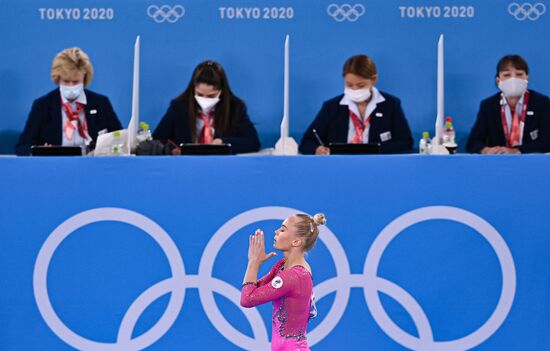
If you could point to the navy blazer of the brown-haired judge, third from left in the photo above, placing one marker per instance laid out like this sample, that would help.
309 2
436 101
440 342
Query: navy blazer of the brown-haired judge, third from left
332 124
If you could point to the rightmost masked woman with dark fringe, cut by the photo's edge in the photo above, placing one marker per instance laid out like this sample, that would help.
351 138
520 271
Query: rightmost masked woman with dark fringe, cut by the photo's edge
514 121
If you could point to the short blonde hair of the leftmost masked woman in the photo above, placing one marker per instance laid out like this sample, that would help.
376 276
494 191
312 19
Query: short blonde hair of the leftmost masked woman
69 60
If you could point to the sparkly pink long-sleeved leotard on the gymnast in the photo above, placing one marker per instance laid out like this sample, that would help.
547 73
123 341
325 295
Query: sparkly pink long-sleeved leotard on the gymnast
291 292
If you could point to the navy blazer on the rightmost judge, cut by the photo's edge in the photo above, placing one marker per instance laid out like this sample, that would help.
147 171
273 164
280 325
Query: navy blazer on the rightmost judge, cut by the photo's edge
488 131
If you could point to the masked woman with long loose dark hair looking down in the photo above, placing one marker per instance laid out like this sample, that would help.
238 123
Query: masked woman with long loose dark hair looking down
207 112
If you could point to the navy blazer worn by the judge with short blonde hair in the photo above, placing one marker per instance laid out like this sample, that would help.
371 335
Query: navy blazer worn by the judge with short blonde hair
45 121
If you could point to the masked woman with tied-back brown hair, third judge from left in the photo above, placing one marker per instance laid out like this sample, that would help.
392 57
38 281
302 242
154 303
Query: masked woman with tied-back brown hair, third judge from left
363 114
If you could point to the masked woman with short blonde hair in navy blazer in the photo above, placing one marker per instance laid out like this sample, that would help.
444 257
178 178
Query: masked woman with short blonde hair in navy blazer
69 115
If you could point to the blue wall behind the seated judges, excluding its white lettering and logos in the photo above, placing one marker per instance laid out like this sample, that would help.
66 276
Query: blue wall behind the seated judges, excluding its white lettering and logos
404 50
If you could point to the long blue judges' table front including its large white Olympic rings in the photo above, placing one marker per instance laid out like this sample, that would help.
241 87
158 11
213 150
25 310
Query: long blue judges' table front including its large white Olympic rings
134 253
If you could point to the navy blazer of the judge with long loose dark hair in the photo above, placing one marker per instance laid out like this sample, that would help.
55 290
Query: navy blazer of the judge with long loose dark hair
175 127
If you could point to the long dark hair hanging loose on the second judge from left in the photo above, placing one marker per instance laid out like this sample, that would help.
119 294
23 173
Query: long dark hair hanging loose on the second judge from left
211 73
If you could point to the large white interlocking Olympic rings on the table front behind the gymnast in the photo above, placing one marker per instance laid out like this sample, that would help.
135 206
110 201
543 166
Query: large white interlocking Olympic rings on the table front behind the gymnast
206 284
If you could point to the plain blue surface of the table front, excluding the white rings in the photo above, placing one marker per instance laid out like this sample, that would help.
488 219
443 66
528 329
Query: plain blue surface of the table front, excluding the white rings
447 267
